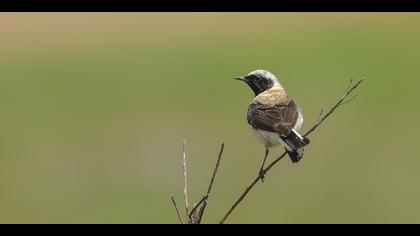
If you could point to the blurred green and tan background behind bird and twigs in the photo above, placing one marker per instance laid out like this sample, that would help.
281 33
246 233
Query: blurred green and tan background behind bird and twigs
94 107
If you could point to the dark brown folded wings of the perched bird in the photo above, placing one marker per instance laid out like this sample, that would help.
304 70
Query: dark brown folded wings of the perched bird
280 118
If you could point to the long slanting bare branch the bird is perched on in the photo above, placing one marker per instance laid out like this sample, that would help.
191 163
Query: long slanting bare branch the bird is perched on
340 102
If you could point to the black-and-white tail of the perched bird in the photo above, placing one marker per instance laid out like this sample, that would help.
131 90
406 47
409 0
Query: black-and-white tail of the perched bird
294 145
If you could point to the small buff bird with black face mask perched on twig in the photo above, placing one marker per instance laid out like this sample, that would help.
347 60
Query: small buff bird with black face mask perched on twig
274 117
